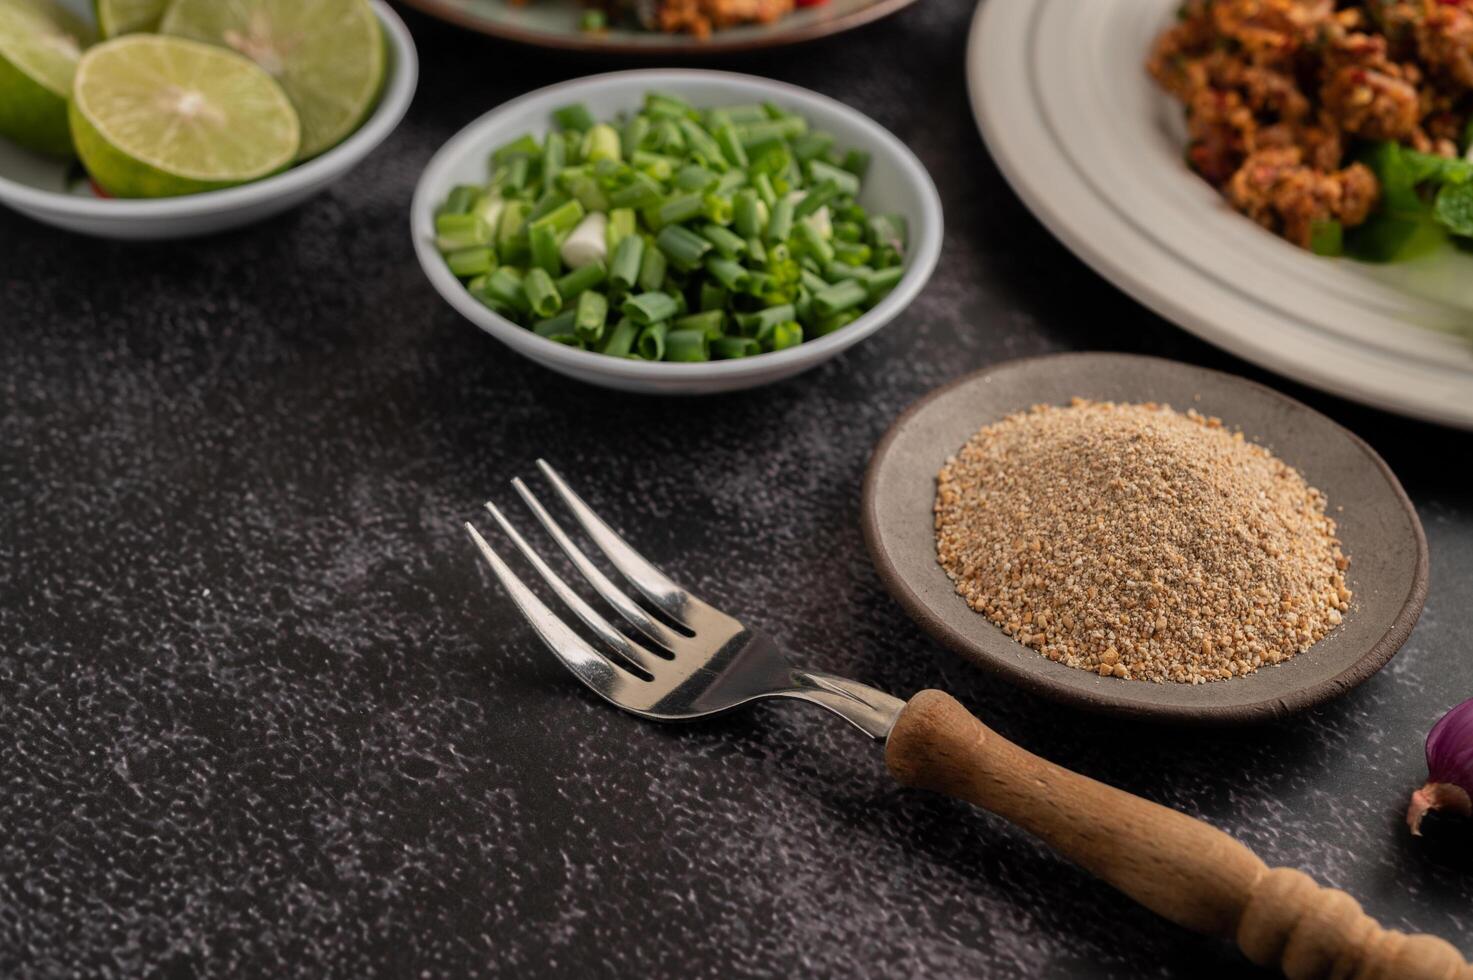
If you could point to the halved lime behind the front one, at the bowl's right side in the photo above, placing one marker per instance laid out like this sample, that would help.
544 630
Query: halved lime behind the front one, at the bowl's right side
329 55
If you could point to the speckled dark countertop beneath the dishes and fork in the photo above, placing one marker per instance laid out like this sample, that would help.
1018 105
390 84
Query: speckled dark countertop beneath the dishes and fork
261 714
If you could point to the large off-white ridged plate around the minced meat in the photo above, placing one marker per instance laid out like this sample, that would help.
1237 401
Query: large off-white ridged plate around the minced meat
1095 150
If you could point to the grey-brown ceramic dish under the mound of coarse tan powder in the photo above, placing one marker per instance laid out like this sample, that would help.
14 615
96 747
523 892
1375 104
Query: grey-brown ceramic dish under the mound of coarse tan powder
1378 527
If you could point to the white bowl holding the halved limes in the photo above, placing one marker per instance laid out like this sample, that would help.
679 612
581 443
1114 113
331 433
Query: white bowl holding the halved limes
39 186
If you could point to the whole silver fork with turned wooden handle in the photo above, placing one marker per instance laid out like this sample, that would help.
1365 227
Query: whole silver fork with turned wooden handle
1178 866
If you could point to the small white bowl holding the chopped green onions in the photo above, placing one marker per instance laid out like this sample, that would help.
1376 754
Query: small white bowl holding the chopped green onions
896 183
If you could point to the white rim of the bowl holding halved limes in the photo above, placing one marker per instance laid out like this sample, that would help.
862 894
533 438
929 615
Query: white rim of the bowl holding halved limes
394 102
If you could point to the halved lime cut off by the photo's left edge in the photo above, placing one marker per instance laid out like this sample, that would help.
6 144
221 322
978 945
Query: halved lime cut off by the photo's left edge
41 43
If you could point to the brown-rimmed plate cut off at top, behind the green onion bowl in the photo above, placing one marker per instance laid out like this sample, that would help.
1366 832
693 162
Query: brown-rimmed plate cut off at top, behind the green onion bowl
556 24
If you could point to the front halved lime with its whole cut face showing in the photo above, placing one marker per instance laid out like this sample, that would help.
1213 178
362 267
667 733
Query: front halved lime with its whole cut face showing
157 117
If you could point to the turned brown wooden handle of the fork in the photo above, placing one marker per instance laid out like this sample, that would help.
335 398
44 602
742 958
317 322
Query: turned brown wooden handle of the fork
1176 866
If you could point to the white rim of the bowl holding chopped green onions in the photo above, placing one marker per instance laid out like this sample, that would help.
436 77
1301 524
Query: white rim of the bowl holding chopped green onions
927 238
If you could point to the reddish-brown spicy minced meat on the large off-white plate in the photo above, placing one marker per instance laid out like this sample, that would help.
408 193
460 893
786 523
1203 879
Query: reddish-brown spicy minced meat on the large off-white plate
1297 108
